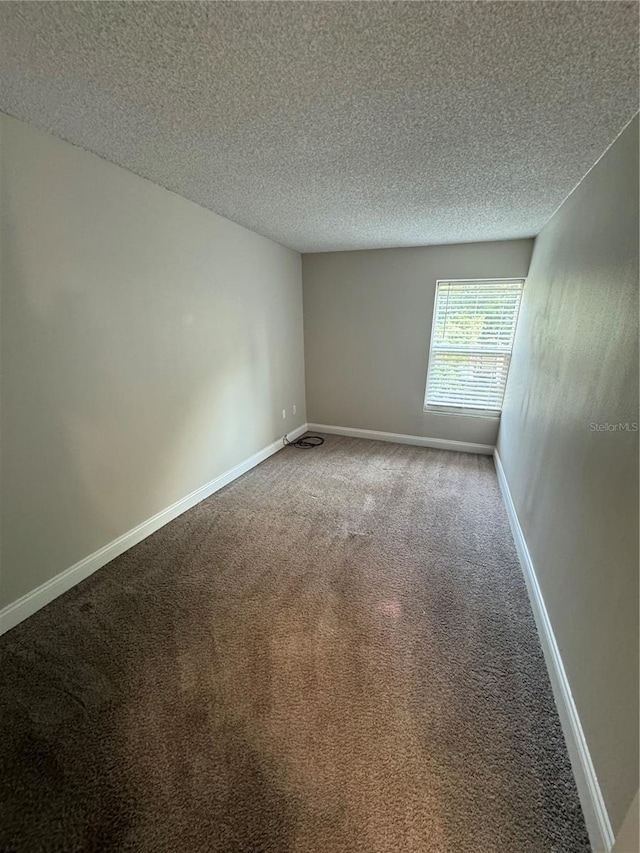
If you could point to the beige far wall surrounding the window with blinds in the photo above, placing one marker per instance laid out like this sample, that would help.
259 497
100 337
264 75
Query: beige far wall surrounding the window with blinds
367 322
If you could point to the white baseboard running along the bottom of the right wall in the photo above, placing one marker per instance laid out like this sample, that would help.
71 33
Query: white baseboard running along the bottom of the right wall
593 806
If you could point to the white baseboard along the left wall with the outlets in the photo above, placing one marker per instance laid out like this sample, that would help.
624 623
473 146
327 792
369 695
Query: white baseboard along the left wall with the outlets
19 610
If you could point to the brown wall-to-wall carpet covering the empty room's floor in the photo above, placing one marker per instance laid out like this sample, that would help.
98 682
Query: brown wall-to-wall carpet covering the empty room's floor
333 654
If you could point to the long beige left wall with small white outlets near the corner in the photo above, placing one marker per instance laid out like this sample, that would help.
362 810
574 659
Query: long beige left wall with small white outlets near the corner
148 345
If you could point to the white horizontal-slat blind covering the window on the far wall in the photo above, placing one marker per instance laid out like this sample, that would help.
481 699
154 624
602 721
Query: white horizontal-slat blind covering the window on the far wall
474 324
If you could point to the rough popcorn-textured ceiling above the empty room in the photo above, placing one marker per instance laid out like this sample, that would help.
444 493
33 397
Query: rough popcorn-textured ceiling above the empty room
336 125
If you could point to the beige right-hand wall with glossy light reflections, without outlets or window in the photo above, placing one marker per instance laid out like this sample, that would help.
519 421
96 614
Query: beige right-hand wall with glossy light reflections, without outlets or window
576 490
